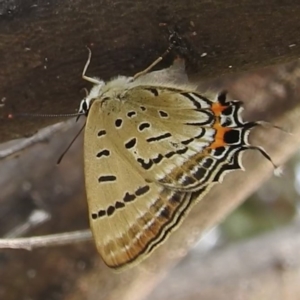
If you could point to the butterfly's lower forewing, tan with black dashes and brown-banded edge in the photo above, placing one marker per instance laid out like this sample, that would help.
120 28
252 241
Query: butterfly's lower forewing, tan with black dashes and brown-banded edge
129 215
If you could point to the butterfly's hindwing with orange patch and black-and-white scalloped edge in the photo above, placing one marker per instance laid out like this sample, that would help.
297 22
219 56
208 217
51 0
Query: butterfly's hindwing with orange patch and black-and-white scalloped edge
184 140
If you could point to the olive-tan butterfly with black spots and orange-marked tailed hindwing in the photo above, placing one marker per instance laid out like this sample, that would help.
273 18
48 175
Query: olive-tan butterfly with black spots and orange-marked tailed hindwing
153 147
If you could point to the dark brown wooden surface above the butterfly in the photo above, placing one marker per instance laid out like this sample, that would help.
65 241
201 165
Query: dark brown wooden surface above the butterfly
42 45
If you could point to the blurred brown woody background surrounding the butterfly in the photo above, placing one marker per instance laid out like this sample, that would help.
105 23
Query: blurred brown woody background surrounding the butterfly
249 224
